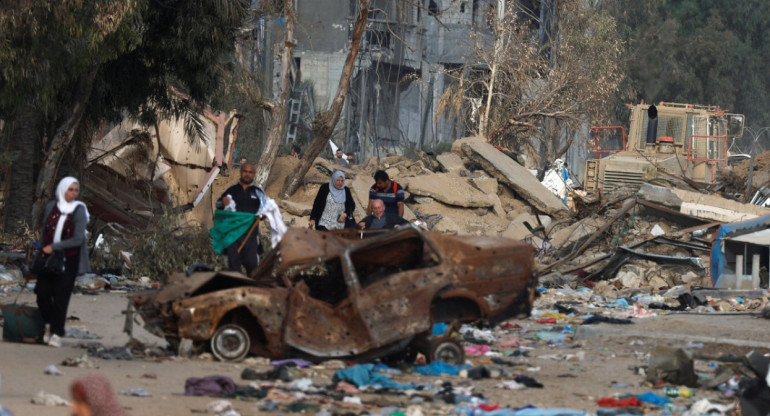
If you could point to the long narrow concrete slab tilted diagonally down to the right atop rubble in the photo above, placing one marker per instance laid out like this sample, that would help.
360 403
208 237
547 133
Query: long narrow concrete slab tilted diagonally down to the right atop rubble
507 171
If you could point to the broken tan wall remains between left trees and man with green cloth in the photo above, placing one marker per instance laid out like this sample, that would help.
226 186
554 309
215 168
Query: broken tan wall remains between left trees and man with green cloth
176 166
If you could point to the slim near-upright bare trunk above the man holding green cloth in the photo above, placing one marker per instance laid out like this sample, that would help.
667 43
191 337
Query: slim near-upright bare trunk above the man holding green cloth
280 109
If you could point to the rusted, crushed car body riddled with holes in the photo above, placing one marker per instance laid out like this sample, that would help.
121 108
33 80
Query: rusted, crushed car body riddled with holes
321 294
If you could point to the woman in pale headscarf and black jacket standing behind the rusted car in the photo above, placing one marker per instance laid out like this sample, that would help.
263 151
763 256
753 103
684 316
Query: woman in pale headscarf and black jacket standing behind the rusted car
333 204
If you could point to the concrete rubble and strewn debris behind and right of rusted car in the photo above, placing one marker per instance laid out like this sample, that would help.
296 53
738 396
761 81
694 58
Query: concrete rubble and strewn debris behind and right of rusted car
608 265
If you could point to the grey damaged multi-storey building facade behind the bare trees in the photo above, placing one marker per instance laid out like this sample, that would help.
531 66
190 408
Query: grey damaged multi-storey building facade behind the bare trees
398 76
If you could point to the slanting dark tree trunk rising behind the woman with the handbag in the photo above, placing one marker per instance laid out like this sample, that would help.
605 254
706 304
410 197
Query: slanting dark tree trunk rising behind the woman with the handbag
59 144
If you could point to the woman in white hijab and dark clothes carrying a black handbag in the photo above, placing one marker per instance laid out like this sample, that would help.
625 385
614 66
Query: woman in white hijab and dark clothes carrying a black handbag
64 228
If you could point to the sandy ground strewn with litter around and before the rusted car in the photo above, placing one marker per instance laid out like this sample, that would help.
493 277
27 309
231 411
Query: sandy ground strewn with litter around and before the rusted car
574 374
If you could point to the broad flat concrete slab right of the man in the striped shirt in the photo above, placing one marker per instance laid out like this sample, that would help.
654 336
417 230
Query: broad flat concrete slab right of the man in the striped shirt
449 189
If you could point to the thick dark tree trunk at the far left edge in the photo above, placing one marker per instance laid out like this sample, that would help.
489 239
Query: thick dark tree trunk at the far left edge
25 137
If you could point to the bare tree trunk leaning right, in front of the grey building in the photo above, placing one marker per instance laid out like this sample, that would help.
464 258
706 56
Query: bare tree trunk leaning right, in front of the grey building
323 123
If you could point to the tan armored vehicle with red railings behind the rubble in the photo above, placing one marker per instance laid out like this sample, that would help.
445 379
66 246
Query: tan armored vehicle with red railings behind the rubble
667 138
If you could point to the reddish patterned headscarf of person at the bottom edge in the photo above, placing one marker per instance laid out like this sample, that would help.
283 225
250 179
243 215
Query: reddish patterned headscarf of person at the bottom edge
93 396
